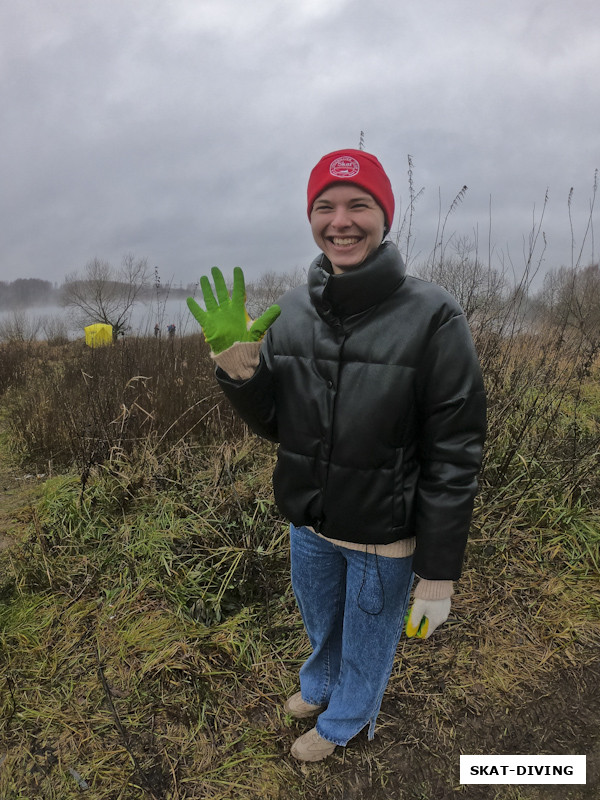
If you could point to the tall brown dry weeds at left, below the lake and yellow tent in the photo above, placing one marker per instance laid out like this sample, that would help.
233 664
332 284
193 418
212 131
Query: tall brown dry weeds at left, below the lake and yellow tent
76 406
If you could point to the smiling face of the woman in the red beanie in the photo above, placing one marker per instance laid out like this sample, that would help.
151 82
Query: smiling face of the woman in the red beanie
347 224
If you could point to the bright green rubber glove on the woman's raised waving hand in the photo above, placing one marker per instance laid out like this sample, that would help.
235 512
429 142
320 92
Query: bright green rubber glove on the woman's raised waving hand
226 320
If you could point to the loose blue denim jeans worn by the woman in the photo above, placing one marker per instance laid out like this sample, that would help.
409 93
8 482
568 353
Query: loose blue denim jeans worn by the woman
353 605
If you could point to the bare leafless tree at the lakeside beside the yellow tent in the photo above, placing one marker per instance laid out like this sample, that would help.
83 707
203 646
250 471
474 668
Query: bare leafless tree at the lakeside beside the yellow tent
106 294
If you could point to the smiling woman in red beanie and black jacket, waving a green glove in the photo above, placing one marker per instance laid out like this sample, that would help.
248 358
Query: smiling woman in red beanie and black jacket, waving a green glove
369 381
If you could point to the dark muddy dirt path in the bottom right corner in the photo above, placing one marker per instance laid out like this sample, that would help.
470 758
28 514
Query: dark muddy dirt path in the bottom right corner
410 760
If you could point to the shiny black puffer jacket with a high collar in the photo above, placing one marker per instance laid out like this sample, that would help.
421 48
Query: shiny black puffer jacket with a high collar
371 385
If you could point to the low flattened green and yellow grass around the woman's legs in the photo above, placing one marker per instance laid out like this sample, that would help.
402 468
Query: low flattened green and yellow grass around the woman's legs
150 637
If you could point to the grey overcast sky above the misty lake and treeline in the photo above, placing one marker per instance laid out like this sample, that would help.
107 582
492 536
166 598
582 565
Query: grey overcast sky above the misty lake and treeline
184 131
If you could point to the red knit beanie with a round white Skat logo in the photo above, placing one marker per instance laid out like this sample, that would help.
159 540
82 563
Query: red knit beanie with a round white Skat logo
353 166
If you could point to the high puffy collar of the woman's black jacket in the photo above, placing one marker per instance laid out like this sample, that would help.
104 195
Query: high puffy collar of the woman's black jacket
354 292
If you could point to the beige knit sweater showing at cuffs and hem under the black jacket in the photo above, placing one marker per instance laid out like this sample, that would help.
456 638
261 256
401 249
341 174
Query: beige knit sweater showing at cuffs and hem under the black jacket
240 362
